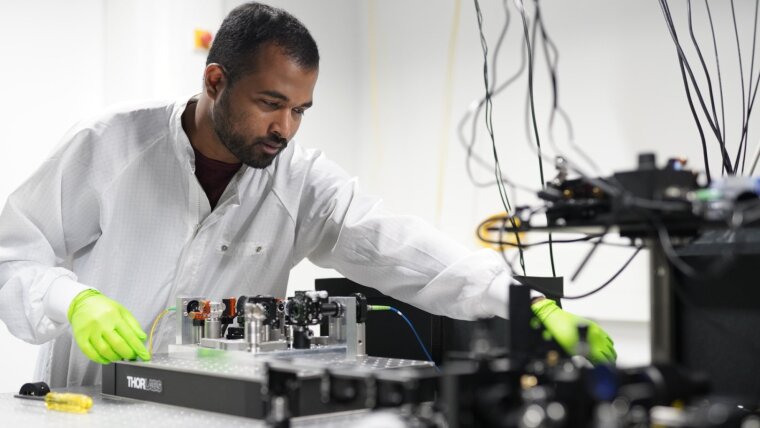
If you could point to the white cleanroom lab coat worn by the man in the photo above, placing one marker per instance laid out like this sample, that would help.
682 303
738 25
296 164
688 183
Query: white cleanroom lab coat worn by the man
117 207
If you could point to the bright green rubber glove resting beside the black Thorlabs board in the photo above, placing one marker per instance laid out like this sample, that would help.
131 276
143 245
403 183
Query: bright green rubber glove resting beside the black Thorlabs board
105 330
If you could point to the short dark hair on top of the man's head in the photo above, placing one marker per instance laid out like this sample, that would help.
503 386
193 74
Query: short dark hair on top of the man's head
249 27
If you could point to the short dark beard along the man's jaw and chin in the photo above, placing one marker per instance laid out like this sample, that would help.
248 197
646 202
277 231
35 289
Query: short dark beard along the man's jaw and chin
247 152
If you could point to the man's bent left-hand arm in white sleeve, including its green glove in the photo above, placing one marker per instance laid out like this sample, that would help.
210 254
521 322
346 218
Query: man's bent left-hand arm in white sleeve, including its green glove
51 217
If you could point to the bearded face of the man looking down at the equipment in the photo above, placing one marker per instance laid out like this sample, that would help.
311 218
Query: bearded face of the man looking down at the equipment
259 114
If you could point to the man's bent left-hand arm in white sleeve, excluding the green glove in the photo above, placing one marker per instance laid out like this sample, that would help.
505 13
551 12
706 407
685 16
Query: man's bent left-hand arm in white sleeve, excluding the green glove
46 220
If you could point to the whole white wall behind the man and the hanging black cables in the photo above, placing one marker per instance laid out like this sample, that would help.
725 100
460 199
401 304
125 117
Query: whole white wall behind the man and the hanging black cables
380 107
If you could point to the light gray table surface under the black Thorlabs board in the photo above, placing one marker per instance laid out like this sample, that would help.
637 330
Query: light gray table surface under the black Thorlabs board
118 412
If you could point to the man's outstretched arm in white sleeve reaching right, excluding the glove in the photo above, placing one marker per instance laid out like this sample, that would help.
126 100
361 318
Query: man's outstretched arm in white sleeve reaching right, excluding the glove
402 256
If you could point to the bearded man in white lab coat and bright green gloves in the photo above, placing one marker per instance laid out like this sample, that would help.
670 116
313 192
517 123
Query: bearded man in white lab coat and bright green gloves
210 196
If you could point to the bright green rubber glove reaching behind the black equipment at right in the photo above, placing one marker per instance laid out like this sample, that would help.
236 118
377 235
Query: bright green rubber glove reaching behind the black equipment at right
563 327
